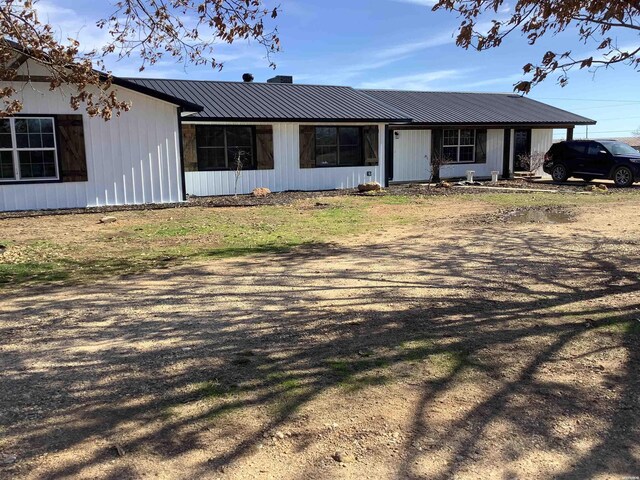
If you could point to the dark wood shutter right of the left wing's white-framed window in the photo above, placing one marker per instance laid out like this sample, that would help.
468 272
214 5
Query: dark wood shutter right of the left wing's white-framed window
71 148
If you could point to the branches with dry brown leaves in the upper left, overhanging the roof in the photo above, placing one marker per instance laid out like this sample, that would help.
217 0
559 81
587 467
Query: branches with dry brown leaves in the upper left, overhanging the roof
188 31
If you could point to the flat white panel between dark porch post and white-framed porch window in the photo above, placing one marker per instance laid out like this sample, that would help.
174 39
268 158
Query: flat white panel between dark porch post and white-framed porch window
411 153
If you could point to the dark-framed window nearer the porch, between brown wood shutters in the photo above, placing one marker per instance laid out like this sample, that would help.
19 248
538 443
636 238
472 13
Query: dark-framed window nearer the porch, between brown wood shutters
339 146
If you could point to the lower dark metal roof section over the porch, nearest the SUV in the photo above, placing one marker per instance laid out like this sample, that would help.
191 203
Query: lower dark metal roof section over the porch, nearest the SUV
445 108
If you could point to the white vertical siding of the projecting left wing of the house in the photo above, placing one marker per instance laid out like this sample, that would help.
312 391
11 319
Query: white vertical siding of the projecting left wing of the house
131 159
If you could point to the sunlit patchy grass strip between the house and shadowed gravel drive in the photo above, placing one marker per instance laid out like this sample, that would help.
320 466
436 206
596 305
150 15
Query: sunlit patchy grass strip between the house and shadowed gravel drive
142 240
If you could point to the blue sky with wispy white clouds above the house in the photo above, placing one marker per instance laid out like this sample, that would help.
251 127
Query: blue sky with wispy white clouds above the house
389 44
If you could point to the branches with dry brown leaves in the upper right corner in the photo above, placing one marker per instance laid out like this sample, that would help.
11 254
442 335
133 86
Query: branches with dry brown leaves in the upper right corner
597 21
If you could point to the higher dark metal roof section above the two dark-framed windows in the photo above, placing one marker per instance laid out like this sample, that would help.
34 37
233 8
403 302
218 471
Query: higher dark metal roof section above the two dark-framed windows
275 102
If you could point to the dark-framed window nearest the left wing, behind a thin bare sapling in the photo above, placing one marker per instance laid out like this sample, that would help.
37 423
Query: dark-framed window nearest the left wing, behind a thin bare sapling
225 147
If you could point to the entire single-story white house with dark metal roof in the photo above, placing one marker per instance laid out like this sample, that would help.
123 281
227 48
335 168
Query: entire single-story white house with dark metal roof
189 137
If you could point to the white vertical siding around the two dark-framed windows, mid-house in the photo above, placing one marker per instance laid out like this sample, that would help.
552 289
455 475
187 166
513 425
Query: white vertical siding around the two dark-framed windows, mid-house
286 174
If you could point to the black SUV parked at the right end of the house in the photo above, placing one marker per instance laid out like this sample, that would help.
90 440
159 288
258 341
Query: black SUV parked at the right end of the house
588 159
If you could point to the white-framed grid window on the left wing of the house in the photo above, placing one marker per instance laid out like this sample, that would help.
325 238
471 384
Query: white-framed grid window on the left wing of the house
28 149
